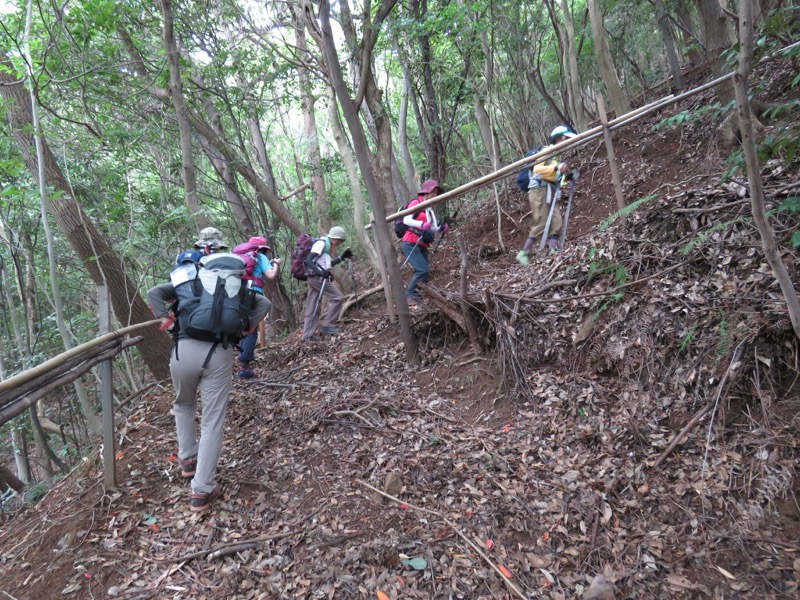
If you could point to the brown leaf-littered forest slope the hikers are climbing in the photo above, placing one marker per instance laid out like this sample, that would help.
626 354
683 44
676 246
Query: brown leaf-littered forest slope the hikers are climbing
624 423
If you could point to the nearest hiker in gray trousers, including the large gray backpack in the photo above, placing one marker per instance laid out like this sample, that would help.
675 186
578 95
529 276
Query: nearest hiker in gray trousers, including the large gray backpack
208 313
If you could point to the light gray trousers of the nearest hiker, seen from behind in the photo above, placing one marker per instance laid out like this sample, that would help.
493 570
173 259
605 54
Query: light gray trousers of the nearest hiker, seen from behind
214 384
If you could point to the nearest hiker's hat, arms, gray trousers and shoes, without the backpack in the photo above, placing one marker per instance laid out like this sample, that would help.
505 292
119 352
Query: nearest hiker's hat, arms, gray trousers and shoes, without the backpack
198 458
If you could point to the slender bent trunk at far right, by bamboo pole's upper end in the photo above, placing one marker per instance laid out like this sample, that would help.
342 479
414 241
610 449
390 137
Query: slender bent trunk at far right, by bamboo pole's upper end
745 116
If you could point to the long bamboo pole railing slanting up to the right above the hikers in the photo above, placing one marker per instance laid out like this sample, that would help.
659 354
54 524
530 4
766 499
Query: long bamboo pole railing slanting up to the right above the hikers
577 141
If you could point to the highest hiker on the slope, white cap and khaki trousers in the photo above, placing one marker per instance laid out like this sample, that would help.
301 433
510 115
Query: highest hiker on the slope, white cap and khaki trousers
543 181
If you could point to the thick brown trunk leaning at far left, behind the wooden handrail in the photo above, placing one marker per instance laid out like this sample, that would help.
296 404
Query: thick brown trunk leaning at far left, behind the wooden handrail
93 249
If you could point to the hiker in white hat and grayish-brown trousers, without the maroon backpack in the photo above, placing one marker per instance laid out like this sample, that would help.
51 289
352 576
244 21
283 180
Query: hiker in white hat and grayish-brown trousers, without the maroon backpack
320 283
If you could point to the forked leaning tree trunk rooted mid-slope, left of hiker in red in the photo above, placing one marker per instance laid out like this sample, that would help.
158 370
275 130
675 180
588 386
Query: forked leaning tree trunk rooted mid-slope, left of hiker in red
374 178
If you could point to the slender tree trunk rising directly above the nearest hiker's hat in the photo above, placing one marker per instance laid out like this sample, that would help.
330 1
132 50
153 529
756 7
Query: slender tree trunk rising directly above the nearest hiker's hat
181 115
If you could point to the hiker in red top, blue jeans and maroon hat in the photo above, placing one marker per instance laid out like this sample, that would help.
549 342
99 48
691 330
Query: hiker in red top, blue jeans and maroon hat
421 226
